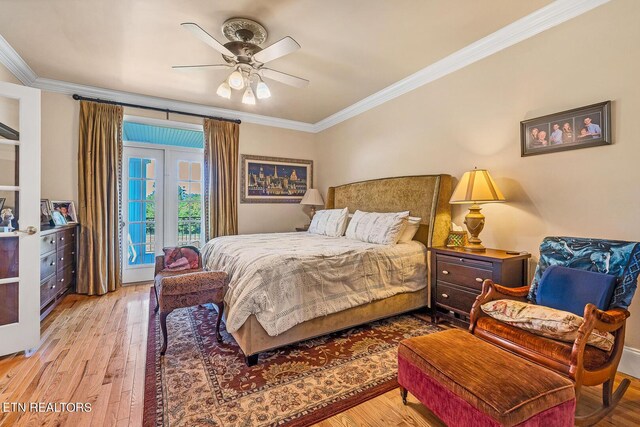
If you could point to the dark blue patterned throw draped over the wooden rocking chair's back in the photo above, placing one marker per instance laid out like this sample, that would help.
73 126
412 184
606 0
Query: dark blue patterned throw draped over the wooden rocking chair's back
616 257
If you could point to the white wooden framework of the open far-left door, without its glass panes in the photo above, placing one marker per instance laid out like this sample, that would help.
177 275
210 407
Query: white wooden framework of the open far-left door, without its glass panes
24 335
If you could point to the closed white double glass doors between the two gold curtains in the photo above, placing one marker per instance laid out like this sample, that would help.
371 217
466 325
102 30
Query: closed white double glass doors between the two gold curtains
162 206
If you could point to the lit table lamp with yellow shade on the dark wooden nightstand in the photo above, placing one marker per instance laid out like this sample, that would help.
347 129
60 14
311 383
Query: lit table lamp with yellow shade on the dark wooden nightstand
476 187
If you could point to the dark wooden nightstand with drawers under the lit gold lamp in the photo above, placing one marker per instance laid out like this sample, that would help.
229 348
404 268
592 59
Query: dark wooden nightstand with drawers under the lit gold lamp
457 276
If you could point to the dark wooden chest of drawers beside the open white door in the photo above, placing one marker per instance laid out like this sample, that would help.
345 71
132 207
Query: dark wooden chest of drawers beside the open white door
58 249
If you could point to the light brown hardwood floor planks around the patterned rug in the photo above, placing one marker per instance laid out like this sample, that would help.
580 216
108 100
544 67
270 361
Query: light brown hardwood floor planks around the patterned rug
93 350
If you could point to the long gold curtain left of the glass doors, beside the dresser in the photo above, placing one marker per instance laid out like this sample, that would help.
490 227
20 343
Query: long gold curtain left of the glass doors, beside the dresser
99 165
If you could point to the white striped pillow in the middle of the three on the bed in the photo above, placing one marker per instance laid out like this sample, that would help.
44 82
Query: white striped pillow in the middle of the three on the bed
374 227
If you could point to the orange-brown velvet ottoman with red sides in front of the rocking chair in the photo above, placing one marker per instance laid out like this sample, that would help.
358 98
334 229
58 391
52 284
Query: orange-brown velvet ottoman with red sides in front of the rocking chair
466 381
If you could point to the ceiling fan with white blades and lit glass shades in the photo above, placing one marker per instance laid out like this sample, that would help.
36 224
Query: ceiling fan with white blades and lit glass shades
243 54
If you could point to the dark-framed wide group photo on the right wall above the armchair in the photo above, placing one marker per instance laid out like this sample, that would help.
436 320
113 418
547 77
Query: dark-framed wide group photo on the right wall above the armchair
583 127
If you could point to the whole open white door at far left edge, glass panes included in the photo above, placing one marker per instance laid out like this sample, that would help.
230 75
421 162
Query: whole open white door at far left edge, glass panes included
20 212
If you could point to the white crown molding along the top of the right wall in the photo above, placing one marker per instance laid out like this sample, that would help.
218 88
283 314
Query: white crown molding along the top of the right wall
541 20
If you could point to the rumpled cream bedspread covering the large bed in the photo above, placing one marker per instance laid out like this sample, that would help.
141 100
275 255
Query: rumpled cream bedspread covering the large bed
288 278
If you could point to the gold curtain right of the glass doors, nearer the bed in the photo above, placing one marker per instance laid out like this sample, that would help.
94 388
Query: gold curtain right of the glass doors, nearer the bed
221 140
